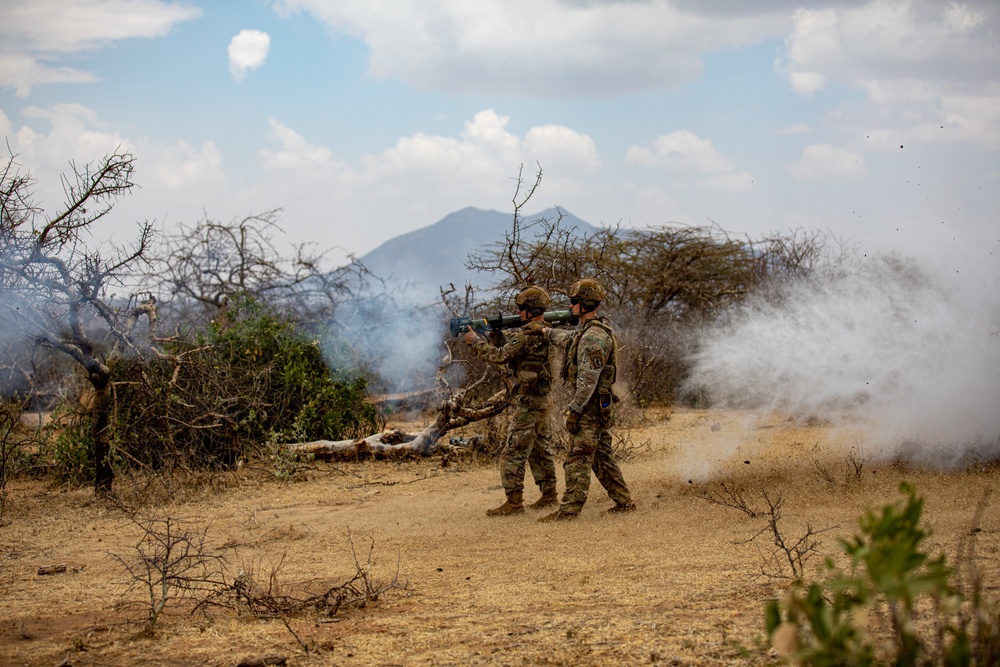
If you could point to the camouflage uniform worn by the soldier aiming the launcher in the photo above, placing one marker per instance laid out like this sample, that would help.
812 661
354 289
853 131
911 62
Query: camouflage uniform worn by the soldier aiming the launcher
526 351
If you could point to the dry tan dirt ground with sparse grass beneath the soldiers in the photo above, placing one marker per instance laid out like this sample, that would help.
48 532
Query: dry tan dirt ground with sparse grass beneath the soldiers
678 582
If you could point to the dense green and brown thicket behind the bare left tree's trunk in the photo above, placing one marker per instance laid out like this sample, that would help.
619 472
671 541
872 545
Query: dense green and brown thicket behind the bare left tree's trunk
250 379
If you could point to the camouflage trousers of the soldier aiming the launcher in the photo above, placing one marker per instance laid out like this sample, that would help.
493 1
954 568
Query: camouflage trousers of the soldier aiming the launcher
529 439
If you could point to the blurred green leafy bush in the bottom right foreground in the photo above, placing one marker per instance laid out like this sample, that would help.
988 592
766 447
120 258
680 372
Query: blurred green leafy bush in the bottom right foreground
834 621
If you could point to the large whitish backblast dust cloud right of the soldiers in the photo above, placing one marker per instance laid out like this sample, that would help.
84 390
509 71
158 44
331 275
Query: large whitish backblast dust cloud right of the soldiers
898 348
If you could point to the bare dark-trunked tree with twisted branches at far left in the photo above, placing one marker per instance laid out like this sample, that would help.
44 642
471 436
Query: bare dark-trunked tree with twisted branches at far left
56 289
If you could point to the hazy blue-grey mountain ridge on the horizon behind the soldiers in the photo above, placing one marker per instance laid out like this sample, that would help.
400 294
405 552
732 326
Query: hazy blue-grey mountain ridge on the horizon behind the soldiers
418 263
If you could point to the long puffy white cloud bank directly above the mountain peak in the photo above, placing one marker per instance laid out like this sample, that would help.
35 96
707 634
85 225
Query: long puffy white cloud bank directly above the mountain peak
421 173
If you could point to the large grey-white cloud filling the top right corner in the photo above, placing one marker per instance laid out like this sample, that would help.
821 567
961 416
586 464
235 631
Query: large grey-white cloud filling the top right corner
917 60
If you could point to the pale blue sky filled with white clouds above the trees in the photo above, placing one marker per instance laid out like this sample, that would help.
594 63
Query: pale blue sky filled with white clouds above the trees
364 119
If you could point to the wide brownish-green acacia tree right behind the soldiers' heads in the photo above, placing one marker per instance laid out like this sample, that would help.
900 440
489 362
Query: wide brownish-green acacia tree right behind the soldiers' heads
663 282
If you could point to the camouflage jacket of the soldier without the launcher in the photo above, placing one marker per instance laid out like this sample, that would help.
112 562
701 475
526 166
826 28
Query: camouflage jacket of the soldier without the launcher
591 359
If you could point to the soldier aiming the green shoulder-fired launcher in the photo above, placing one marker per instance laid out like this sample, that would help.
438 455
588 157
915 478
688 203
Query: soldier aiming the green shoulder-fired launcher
526 351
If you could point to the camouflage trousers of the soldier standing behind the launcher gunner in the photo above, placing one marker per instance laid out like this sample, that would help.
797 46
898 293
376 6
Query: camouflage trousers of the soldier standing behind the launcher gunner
590 449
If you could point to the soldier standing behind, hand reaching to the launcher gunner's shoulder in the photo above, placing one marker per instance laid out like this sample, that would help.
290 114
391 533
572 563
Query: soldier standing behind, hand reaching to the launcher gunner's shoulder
589 370
